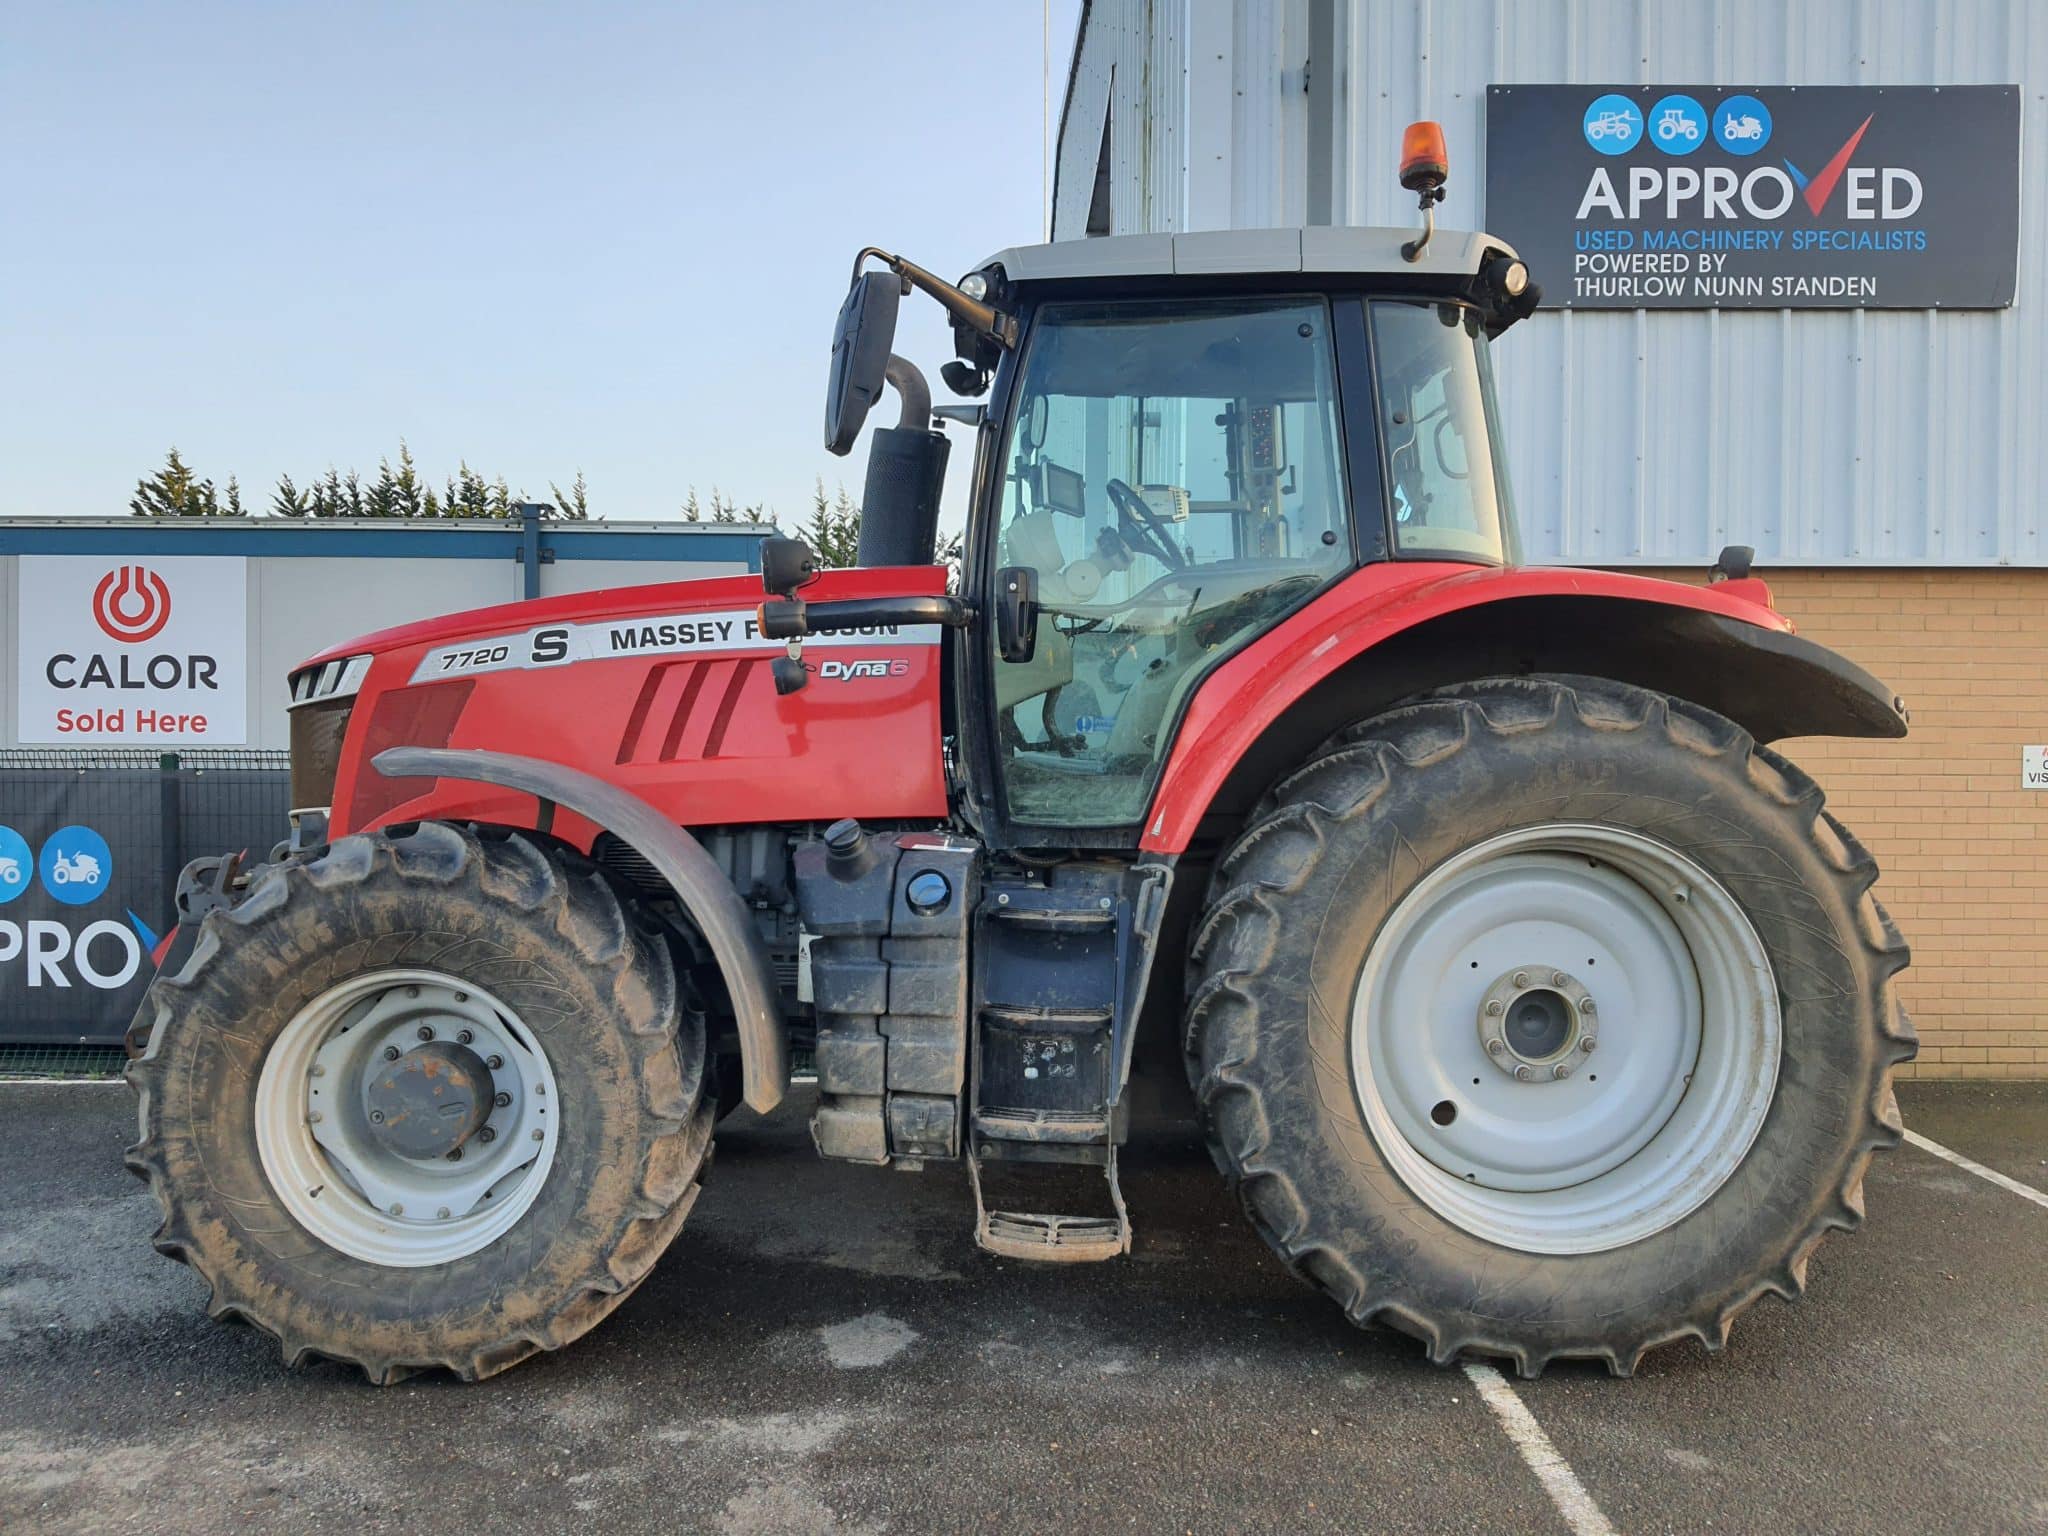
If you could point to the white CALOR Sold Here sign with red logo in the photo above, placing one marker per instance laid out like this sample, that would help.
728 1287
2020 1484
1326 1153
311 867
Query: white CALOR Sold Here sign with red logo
136 652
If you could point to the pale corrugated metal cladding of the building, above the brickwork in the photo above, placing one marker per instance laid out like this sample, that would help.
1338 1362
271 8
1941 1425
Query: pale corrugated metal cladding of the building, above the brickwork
1820 437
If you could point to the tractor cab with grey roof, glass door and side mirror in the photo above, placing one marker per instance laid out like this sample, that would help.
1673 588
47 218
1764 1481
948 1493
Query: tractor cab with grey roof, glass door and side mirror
1185 439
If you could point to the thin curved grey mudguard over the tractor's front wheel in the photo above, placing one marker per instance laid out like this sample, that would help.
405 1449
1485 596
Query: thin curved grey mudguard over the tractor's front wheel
699 886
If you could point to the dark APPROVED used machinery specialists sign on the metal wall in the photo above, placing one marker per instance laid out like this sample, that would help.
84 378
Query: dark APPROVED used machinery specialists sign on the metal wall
1764 198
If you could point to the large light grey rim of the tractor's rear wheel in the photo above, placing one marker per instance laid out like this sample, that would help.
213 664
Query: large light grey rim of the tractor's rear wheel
1670 1039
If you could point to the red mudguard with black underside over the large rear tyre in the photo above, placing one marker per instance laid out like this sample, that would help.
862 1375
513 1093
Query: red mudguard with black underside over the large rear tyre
1398 630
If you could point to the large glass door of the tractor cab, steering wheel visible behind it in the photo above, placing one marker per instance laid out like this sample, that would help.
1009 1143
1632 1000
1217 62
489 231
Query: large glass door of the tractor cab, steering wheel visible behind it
1175 478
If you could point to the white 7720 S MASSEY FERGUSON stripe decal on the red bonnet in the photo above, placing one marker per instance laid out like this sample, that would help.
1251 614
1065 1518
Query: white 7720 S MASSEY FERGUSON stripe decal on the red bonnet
673 634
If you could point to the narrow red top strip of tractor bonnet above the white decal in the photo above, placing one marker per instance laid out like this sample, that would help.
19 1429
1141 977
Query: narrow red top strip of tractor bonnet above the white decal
628 601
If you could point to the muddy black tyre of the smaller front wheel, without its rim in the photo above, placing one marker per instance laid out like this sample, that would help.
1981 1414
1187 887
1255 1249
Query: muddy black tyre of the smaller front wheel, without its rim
529 925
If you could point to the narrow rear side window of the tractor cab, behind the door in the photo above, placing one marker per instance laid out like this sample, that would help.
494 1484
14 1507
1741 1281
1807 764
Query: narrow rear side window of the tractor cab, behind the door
1447 486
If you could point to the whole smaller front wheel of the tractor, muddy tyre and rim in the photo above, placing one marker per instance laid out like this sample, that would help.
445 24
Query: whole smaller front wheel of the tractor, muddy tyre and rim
423 1101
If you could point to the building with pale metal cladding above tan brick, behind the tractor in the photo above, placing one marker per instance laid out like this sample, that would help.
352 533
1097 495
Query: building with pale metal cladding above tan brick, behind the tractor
1885 464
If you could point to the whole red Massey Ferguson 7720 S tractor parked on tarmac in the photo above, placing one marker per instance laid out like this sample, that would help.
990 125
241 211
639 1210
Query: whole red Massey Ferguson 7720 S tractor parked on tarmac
1533 1005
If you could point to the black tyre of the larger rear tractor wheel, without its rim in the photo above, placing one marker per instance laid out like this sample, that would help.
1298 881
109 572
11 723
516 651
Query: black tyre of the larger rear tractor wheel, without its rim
1299 900
